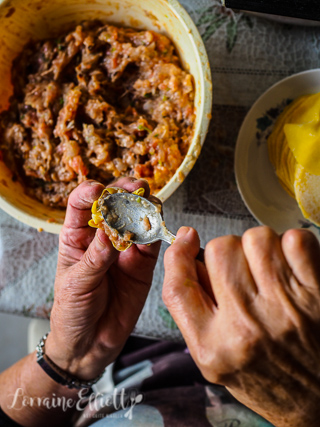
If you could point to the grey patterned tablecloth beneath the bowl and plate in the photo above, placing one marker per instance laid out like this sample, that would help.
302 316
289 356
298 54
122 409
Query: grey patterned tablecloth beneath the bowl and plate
247 54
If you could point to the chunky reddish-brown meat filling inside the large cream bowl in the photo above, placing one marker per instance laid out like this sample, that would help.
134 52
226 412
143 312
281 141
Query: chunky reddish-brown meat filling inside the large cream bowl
98 103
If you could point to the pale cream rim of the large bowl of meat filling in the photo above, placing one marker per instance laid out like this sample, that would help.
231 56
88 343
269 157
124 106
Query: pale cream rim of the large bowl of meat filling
199 136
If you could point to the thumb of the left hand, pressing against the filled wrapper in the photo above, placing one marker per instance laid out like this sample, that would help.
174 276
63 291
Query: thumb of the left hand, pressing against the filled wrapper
95 262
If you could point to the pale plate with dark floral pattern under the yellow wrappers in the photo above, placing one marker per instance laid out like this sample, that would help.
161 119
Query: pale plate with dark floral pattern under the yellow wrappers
259 187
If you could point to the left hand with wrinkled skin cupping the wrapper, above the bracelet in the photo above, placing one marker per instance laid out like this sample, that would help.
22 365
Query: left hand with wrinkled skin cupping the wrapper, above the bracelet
99 292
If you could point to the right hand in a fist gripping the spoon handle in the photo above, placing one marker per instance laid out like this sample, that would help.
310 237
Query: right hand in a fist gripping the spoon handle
251 318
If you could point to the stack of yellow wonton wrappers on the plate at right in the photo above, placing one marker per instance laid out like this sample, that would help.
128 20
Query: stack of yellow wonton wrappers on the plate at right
294 151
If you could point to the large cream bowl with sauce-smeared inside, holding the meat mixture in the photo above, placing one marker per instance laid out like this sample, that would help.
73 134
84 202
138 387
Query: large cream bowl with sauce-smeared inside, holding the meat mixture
22 20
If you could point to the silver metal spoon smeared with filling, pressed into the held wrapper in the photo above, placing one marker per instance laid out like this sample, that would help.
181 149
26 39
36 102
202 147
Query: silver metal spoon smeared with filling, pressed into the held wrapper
129 213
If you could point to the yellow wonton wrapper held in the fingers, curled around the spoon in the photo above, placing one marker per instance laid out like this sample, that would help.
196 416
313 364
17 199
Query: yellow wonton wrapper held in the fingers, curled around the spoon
97 220
